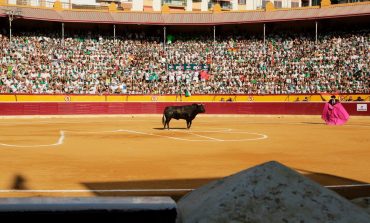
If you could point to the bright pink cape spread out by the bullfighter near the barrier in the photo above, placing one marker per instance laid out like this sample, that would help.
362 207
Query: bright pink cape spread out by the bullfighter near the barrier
334 115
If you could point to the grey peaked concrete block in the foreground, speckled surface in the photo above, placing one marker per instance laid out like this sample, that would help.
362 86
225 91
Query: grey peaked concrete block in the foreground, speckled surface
267 193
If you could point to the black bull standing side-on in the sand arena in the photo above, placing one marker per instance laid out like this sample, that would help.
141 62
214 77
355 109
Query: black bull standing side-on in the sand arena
187 112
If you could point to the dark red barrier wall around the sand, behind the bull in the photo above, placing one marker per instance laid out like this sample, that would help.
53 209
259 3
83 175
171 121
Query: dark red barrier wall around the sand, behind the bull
73 108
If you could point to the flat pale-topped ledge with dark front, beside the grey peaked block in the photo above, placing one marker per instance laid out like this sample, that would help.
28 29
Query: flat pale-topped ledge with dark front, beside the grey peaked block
88 209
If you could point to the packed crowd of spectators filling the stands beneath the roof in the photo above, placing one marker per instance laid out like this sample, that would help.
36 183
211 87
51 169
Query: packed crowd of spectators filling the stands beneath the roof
136 63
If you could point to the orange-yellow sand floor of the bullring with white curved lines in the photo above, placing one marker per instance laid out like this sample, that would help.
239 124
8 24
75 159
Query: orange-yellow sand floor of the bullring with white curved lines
133 155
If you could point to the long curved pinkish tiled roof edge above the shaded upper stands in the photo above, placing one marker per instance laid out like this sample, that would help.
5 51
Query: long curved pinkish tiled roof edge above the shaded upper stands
194 18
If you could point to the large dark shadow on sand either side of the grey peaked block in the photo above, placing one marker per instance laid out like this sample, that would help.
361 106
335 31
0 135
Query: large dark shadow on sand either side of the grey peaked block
180 187
